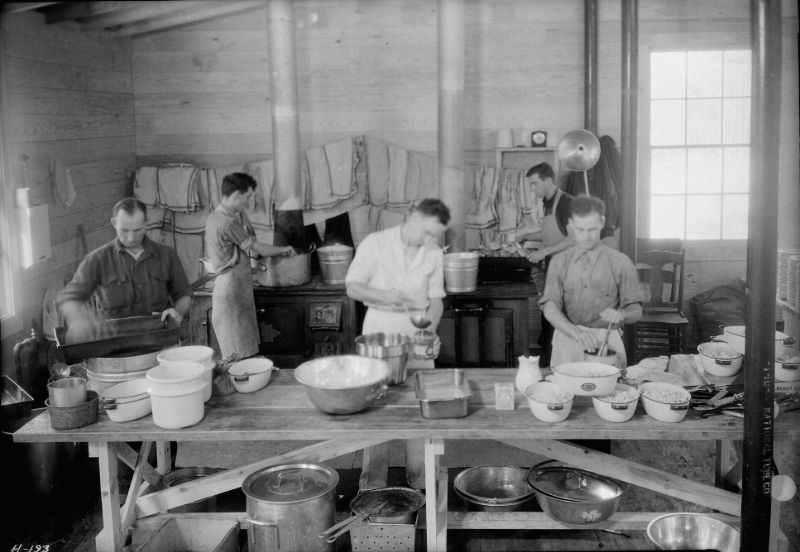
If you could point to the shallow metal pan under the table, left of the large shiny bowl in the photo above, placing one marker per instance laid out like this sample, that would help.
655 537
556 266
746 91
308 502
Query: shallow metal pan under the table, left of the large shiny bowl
493 488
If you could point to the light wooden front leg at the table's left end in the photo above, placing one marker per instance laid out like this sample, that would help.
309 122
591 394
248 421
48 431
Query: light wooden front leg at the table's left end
110 539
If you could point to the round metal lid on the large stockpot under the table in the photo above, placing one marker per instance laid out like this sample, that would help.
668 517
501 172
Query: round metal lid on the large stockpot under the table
290 483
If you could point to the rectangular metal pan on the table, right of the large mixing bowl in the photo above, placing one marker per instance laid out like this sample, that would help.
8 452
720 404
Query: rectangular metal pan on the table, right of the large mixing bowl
442 393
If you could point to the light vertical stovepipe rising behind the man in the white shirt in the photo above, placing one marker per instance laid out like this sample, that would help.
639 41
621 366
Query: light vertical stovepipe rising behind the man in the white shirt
451 117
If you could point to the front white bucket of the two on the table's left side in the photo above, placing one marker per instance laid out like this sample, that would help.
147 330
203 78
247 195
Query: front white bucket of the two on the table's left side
176 394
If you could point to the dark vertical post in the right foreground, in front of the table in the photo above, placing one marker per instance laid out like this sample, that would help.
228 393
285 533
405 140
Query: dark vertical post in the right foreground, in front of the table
759 378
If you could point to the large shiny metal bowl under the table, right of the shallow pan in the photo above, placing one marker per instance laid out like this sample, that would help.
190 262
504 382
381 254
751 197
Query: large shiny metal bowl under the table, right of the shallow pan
574 496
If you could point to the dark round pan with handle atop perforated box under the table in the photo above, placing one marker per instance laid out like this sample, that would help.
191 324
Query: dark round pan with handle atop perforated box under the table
392 505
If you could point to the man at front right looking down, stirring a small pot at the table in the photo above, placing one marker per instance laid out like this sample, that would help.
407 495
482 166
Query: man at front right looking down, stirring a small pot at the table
589 287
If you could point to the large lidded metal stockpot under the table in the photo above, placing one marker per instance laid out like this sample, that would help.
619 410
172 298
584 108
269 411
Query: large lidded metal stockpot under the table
288 506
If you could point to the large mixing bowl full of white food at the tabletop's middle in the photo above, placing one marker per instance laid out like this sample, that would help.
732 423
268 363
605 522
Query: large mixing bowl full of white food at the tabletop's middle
343 384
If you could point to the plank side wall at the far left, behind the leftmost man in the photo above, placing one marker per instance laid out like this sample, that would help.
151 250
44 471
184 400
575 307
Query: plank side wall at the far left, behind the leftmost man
69 98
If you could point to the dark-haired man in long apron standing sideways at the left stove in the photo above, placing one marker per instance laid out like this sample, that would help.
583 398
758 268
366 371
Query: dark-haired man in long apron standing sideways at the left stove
229 239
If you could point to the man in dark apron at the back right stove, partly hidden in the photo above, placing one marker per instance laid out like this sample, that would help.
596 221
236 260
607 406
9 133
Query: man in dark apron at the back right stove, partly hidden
554 236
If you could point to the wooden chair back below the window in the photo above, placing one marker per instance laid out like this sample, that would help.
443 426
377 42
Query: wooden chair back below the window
661 276
